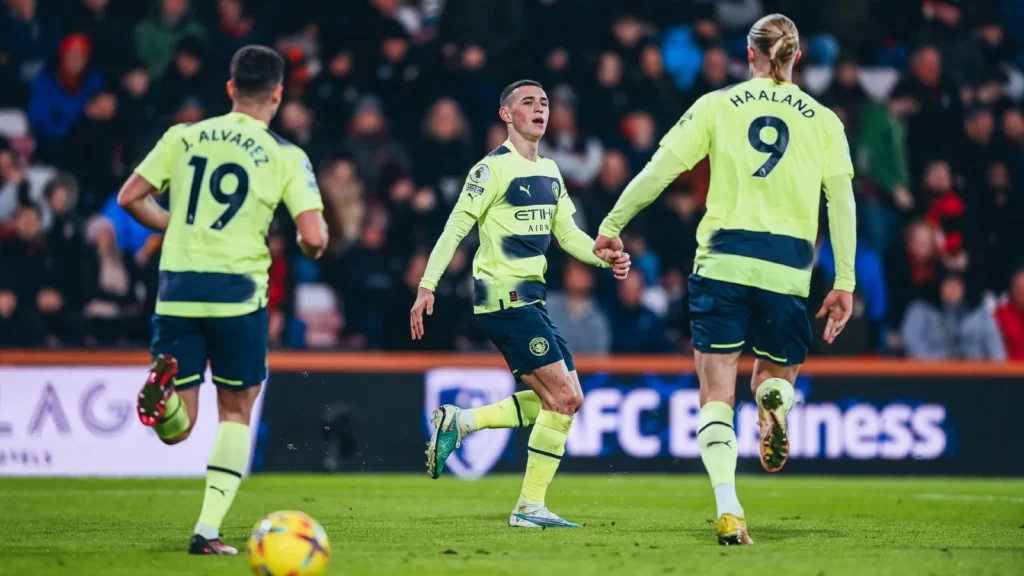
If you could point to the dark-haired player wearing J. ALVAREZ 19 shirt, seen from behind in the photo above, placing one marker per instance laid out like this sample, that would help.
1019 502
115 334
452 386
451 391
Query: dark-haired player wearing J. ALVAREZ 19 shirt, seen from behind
226 178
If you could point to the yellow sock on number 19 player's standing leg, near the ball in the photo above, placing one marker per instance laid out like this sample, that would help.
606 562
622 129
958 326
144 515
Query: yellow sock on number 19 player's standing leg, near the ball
224 476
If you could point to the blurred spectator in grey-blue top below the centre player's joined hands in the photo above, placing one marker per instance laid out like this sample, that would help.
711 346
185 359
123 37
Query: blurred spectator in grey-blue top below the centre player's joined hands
575 311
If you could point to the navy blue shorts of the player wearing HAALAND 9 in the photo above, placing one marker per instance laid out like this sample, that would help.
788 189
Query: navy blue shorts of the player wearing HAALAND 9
728 318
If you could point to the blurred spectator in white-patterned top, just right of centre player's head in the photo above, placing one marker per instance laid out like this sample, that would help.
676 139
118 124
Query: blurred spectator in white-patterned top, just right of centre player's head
577 154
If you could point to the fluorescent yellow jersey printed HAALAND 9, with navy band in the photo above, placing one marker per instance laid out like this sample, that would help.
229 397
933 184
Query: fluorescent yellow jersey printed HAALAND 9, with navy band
772 147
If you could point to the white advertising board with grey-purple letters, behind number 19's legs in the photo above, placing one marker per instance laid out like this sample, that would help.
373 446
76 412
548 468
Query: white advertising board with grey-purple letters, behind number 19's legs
82 423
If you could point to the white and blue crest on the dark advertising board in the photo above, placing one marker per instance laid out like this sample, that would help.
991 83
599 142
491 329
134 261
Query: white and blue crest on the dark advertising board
471 389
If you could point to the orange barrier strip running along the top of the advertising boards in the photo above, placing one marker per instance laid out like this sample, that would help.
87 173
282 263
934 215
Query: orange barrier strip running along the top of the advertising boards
393 362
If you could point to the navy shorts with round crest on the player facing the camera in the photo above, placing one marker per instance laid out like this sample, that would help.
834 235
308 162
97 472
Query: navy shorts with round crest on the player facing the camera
527 338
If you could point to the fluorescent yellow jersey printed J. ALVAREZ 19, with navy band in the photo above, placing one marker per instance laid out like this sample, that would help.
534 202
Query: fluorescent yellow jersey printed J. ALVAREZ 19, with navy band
227 177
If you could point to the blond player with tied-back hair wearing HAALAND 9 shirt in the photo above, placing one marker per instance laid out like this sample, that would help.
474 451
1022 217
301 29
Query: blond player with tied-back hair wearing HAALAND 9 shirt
773 150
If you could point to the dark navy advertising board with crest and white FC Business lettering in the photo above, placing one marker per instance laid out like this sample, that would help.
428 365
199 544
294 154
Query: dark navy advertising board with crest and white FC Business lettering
636 423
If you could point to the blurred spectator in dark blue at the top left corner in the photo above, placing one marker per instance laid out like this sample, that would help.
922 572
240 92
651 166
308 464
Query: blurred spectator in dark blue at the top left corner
28 37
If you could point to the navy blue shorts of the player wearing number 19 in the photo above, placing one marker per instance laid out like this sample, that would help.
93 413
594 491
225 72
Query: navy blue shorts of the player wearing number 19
235 347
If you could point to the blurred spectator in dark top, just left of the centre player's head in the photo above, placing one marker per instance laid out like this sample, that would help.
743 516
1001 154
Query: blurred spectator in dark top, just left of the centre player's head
446 151
